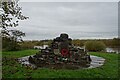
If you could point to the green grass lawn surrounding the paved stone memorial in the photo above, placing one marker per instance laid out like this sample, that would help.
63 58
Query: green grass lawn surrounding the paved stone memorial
12 69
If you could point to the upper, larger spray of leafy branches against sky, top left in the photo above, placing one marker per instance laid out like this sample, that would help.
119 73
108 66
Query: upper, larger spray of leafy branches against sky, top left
10 11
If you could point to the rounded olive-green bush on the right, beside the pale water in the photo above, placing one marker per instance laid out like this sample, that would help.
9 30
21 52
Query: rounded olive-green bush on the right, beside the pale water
95 46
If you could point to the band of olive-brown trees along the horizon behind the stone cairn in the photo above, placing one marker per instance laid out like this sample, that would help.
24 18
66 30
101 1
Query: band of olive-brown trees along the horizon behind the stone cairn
9 44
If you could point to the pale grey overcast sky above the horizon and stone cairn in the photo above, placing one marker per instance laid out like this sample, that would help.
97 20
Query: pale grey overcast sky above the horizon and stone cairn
81 20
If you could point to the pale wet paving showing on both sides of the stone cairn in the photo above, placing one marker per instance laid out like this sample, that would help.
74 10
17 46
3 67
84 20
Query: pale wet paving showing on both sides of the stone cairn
96 61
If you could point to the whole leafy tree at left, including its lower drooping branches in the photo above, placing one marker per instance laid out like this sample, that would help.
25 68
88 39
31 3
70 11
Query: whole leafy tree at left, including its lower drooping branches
11 14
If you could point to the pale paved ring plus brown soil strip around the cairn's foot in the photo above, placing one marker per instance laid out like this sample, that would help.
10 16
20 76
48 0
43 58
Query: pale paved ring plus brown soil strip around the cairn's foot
96 62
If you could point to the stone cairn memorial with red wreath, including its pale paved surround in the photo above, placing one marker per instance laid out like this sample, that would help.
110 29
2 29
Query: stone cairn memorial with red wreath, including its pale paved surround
62 54
